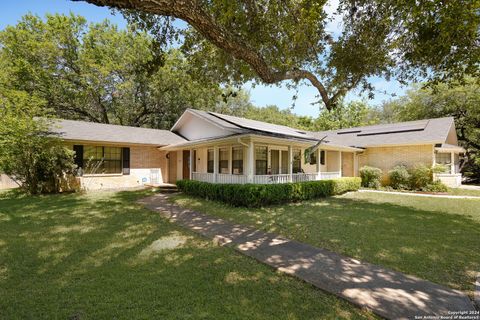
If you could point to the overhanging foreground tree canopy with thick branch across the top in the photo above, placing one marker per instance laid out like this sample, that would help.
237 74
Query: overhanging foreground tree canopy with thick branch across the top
276 40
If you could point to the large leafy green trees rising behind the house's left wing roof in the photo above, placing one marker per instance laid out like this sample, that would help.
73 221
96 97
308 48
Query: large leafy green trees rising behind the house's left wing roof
97 73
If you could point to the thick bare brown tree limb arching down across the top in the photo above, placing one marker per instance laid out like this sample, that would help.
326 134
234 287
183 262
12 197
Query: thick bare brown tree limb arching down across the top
191 12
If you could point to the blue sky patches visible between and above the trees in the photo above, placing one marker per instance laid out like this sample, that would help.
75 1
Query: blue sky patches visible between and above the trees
261 95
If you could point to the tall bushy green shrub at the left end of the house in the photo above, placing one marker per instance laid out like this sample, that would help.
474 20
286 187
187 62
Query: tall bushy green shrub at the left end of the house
29 152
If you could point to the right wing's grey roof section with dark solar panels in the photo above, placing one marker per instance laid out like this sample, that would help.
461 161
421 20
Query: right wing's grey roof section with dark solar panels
428 131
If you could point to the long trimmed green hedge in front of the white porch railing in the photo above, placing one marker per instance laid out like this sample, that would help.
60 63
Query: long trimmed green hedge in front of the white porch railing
257 195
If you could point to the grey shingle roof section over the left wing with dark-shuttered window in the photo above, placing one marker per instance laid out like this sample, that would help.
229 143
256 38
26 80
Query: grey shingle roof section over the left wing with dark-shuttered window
90 131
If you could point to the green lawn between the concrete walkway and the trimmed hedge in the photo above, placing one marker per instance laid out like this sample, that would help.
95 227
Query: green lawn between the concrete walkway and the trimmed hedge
435 239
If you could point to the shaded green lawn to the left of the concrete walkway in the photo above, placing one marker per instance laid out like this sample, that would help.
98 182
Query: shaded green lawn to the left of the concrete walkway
102 256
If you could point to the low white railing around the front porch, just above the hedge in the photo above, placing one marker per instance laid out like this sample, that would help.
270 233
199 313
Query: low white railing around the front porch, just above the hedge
263 179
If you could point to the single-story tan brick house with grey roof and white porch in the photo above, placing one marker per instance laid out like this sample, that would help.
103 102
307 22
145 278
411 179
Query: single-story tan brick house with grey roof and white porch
218 148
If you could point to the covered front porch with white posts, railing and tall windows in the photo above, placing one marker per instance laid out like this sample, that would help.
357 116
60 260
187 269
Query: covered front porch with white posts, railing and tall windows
263 160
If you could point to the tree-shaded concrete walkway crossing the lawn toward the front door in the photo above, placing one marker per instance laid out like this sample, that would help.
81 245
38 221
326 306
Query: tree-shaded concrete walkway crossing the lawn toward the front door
387 293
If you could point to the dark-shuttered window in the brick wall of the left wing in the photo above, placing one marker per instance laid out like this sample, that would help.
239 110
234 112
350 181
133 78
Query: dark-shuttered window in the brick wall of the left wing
98 160
